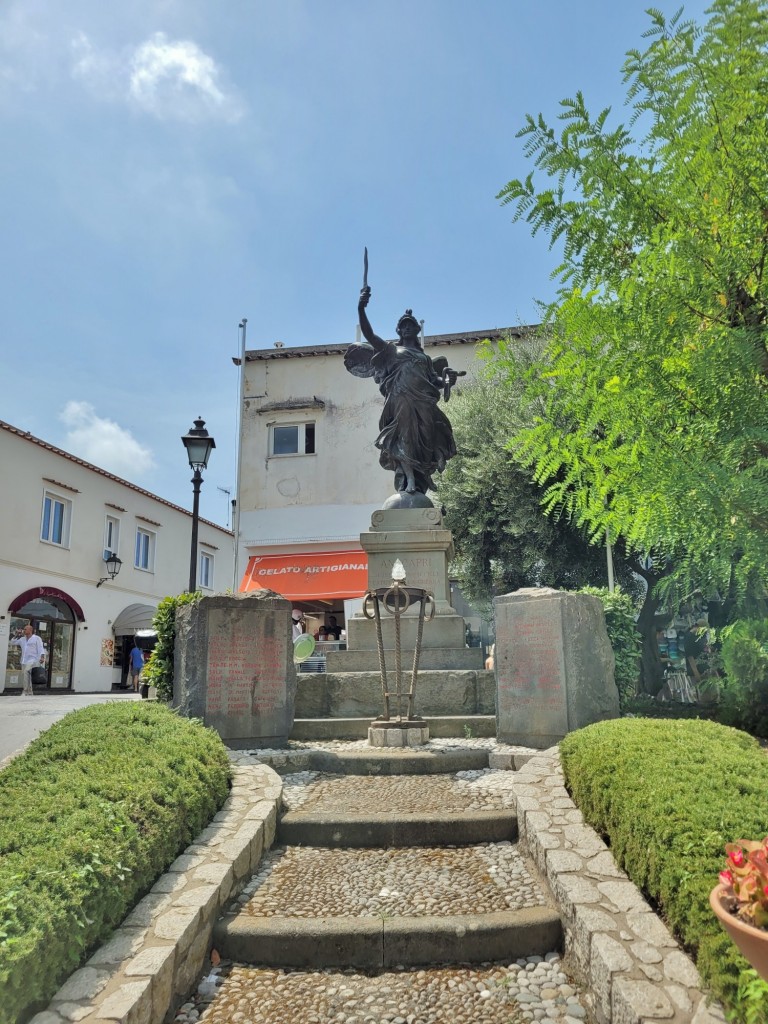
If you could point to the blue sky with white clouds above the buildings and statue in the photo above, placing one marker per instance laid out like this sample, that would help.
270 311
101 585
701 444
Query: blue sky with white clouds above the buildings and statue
168 167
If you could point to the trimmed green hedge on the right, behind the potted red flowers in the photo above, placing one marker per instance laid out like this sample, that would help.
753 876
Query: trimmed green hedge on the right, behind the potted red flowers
668 796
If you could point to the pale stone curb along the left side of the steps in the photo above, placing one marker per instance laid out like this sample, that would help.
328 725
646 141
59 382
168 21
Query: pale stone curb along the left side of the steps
152 961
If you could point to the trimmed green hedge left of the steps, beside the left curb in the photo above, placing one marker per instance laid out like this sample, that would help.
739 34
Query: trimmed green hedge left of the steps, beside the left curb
91 815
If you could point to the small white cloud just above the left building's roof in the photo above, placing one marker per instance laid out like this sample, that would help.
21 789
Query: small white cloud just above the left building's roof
104 443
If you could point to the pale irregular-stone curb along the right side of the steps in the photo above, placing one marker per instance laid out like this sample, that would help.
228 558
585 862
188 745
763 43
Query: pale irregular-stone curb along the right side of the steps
632 969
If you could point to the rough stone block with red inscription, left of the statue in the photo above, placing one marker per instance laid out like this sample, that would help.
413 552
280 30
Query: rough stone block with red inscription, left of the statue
234 667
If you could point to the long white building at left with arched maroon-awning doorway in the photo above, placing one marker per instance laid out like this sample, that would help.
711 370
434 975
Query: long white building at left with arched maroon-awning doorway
60 518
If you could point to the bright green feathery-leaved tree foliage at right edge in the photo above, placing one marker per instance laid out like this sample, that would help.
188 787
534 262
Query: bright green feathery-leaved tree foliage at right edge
653 410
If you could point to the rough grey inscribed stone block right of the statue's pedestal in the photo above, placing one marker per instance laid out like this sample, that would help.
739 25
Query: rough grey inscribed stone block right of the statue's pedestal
554 666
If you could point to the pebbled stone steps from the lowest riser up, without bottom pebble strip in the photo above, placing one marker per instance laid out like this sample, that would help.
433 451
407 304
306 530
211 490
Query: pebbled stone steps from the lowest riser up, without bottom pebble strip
394 862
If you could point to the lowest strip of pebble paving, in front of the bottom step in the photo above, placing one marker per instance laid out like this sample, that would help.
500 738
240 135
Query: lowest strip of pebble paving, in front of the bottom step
534 990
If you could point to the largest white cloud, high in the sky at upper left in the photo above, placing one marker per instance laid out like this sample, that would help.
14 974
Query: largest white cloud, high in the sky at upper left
169 79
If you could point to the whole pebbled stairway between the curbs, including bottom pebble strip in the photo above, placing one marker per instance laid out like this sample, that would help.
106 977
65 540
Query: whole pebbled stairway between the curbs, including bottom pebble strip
349 930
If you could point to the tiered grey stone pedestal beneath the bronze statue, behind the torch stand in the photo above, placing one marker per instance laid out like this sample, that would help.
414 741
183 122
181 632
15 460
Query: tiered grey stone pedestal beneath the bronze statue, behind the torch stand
416 537
